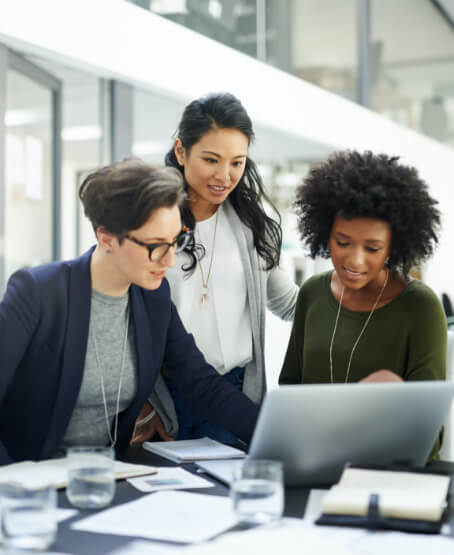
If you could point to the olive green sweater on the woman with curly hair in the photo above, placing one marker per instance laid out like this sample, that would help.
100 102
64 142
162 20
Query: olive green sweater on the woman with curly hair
406 336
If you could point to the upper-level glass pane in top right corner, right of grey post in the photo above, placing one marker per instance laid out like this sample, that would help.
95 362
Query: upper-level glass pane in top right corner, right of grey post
413 70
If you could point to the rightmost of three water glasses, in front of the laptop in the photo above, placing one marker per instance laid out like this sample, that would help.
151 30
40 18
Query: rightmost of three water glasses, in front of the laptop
257 491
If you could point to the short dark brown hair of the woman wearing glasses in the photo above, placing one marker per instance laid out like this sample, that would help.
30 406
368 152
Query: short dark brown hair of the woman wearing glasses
120 197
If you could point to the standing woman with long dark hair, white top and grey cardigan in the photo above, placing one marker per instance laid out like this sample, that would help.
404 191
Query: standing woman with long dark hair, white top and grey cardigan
223 286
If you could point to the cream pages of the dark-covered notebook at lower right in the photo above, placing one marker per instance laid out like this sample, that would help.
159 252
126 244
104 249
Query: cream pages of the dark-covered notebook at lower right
405 495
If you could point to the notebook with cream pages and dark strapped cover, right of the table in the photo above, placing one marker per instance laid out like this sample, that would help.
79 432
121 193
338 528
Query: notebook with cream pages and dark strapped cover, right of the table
389 499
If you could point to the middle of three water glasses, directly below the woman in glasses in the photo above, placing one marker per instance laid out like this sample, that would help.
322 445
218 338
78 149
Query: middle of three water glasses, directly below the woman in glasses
91 478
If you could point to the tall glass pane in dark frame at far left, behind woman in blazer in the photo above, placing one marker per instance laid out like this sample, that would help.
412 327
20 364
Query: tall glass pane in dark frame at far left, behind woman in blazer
28 173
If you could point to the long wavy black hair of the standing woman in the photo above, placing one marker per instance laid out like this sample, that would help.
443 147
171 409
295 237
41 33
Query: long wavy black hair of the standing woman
225 111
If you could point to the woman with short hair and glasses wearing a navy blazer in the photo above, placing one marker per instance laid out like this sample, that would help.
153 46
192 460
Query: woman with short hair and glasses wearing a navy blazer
84 340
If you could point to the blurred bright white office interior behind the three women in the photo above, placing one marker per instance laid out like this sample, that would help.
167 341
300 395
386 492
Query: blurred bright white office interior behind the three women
87 82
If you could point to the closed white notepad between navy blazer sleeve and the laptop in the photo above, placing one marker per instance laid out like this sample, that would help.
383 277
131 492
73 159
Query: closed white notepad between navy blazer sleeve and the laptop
190 450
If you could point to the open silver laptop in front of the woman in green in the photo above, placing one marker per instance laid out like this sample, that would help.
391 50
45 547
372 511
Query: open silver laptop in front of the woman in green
317 429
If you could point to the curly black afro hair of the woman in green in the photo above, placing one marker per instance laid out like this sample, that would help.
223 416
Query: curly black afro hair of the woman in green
351 184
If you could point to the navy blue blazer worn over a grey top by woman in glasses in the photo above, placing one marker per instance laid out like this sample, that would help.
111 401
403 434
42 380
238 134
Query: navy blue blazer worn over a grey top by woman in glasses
44 317
